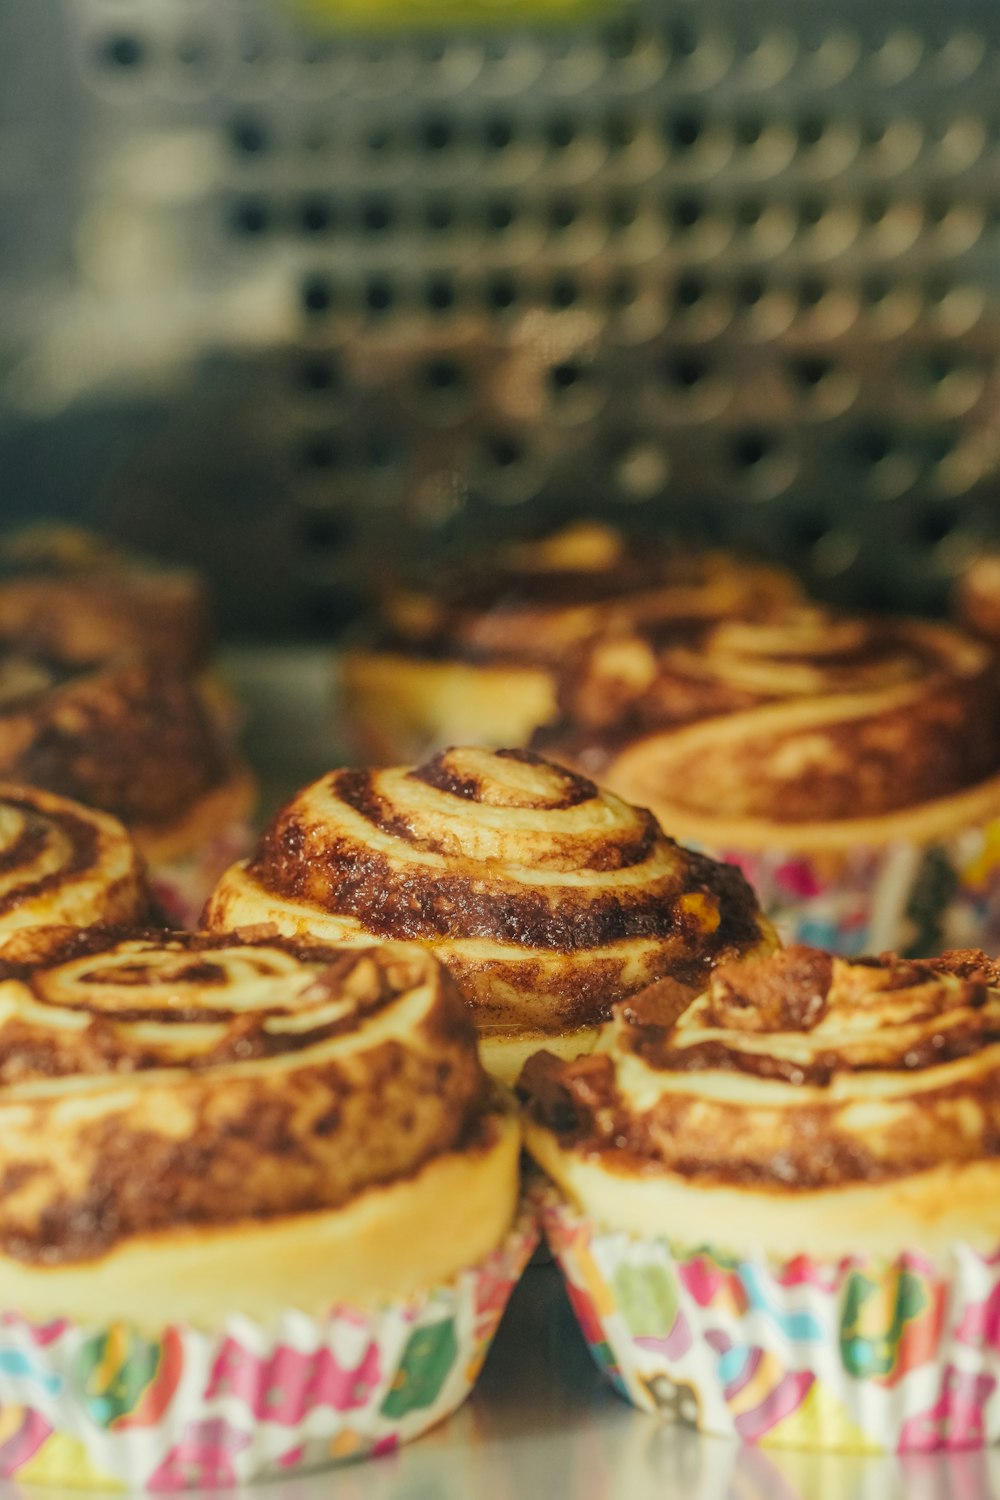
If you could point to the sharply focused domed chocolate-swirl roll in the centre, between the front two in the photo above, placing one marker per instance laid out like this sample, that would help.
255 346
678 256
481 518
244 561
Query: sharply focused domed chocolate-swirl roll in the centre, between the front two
546 898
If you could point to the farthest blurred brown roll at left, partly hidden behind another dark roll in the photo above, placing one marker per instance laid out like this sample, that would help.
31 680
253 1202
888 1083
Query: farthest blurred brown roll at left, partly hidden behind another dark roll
67 593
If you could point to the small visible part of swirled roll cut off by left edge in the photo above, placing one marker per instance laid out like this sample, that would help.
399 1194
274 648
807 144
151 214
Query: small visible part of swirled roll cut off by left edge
65 863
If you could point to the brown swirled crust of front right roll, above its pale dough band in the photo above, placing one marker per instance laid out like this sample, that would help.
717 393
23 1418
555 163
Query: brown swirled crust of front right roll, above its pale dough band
794 1073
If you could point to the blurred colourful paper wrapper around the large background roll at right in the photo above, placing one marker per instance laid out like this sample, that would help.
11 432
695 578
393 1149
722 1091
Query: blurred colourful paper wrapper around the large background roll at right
914 899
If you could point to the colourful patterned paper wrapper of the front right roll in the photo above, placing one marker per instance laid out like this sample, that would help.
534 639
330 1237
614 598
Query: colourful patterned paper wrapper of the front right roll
855 1355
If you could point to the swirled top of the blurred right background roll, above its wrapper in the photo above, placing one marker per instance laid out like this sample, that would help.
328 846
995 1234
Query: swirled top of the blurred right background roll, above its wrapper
801 718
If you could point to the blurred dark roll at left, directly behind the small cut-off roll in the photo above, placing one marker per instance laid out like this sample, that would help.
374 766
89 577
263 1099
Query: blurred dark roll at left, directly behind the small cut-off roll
145 743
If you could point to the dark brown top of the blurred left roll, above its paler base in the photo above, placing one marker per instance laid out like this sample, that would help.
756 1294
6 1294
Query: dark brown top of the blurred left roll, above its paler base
131 737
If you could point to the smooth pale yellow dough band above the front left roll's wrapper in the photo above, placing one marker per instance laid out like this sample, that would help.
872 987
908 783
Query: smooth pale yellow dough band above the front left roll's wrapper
389 1243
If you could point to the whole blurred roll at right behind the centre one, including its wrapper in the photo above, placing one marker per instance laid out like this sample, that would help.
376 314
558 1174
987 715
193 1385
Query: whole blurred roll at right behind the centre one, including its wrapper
849 764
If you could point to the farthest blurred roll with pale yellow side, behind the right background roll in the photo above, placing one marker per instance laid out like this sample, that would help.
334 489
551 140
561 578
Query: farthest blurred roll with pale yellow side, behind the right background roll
472 656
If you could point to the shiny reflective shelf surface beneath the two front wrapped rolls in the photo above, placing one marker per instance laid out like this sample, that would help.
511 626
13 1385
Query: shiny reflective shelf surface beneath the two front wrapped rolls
543 1426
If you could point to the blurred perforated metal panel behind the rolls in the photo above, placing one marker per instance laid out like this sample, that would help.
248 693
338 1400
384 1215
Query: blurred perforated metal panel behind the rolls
726 268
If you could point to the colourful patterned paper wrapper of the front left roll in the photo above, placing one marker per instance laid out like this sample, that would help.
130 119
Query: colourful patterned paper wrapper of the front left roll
118 1409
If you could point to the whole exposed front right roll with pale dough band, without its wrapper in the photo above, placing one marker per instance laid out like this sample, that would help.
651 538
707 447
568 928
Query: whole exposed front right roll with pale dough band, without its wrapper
821 1099
